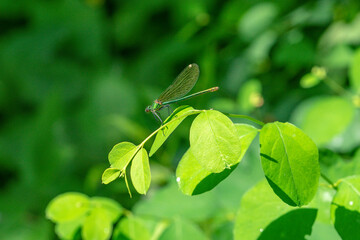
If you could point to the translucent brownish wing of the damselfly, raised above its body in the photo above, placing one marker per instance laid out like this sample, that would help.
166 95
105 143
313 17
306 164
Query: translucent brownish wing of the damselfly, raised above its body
183 83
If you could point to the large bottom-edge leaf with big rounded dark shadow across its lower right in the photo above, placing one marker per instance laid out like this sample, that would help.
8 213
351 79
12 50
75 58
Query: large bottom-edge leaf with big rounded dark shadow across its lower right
262 215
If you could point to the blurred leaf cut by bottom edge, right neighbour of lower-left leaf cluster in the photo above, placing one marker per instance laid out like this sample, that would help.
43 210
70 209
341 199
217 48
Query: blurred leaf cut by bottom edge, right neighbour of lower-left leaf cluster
131 228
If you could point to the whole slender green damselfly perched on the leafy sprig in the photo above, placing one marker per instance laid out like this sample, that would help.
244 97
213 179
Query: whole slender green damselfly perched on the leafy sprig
176 92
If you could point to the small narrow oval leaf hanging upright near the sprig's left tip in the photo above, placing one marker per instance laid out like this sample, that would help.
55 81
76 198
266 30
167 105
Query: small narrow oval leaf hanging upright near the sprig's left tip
140 172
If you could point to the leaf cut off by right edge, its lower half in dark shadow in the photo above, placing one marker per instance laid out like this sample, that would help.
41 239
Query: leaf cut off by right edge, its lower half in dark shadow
345 208
